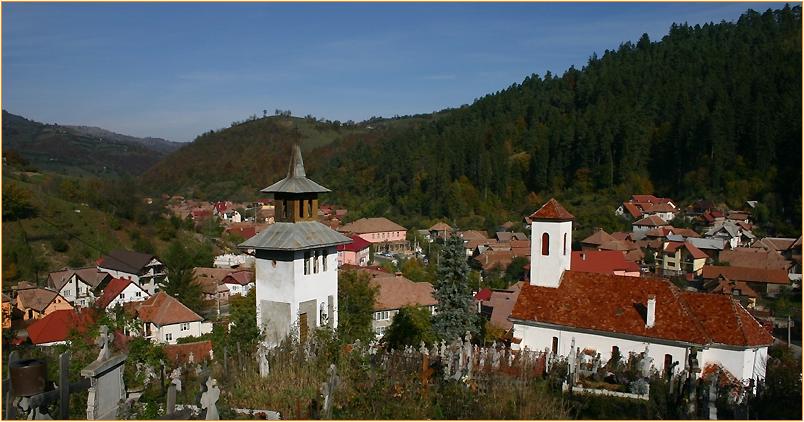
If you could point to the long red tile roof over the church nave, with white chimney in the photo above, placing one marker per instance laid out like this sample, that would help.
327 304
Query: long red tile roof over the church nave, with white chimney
616 305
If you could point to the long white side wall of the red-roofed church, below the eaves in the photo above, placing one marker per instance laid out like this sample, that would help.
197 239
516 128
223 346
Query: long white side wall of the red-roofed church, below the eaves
539 338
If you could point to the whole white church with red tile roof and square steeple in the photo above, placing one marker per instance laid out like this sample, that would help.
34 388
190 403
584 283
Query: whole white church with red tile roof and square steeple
603 313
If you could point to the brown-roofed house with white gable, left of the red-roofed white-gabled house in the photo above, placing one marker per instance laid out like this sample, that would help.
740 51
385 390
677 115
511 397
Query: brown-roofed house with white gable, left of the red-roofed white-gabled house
79 286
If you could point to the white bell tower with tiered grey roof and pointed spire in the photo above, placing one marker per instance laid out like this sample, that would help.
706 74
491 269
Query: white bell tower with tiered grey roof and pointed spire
296 261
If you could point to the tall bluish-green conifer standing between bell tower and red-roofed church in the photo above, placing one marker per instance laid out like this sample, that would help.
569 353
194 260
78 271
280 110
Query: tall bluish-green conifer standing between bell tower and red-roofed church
454 315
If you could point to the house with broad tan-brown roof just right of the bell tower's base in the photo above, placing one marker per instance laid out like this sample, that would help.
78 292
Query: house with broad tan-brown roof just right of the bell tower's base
394 292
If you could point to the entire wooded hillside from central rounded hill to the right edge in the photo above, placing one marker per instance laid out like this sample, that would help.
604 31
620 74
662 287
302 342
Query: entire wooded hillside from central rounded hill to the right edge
709 111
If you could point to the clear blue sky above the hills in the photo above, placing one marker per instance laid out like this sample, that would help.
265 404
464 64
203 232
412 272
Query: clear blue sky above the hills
175 70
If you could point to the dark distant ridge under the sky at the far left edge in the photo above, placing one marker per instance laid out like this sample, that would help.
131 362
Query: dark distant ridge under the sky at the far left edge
80 150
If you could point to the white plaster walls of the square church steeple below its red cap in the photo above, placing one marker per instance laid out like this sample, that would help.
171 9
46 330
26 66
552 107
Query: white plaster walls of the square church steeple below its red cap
547 270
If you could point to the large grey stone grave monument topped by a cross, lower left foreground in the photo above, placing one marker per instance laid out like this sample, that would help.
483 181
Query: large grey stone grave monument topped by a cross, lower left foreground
106 391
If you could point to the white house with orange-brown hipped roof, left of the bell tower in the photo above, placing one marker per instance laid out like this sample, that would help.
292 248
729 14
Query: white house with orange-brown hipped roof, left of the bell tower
165 320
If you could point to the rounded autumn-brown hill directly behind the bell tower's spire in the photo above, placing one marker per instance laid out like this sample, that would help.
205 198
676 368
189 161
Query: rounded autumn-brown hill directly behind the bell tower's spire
234 163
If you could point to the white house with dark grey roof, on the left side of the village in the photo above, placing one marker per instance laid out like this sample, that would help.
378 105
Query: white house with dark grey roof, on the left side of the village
144 269
